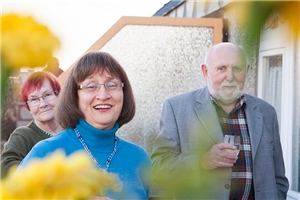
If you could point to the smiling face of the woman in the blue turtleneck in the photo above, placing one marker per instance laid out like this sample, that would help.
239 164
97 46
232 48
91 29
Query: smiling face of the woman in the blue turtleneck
101 108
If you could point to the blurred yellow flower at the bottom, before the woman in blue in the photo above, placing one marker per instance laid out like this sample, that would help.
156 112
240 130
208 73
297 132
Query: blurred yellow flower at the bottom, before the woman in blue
59 177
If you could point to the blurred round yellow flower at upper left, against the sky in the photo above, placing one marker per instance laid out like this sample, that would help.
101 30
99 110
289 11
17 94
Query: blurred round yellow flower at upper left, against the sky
25 42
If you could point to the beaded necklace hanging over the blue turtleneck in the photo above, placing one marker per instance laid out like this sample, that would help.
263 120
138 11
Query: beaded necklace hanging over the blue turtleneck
86 148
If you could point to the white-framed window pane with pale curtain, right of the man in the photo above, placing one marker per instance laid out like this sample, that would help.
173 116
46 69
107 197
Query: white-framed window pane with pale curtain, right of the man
273 82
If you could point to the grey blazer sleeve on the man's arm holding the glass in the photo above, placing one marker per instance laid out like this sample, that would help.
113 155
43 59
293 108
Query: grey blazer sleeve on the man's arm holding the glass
168 160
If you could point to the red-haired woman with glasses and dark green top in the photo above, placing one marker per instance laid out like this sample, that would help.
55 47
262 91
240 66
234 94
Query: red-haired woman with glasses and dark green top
40 94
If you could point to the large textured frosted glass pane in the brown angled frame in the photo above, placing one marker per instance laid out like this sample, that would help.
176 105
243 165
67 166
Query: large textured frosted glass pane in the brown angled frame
160 61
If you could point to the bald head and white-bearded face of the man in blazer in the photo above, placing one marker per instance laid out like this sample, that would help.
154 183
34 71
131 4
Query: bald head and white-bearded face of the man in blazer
225 73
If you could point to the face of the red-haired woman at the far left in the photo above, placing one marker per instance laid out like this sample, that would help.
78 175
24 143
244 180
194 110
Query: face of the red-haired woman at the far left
44 111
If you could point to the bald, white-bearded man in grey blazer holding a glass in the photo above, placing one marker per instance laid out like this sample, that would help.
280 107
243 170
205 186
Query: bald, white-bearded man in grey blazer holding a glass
190 159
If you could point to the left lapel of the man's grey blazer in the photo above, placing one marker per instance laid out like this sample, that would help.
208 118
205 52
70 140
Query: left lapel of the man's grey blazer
208 116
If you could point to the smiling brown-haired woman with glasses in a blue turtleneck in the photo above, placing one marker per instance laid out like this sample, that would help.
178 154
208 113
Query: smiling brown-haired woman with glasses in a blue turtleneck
95 102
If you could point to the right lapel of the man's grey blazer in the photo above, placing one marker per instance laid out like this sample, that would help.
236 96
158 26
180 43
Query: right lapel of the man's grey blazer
255 125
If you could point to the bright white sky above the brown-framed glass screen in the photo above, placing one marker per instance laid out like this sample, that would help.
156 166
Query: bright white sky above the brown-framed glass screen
79 24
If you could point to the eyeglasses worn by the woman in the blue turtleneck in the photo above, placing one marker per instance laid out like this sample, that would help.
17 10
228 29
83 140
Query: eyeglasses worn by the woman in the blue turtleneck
95 86
